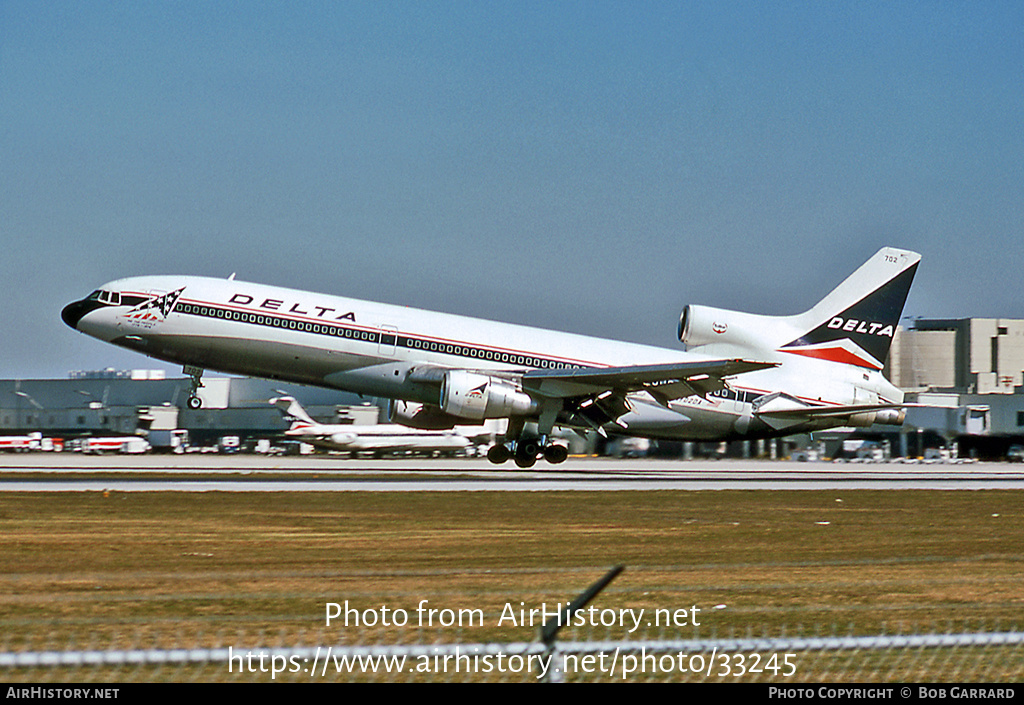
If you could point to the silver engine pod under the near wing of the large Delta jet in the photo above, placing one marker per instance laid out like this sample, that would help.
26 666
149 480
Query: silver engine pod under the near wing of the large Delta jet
477 397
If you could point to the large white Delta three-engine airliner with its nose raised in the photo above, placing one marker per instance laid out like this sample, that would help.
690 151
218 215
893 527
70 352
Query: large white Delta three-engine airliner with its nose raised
741 376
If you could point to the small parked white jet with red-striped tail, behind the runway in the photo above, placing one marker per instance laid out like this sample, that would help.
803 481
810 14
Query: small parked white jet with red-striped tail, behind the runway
376 438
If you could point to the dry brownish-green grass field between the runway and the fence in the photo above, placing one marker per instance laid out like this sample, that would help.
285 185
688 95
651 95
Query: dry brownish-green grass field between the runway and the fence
145 570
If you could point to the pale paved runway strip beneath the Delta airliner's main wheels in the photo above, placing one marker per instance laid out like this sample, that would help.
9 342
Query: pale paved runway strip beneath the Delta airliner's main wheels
68 473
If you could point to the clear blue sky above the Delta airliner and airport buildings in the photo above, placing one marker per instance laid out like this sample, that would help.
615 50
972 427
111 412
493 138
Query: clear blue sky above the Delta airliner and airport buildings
589 167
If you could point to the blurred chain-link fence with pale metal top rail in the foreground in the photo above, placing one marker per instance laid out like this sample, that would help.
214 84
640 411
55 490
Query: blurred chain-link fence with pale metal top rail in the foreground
582 656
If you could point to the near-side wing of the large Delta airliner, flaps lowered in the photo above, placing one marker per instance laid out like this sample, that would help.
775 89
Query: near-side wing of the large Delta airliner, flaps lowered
665 383
